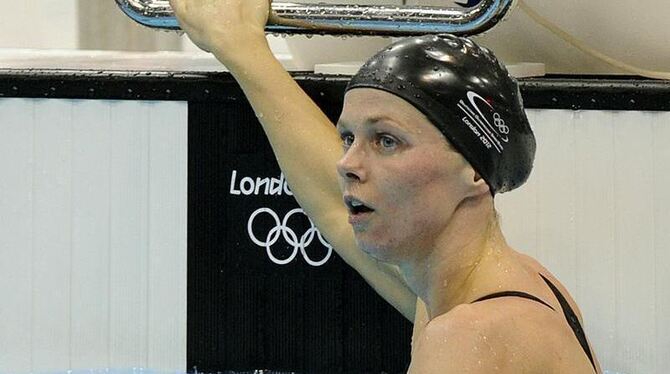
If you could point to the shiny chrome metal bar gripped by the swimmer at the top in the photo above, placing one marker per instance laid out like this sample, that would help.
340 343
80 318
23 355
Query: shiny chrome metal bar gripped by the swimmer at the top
299 18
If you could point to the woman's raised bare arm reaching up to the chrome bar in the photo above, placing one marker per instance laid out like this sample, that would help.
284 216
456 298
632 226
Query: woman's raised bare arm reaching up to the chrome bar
304 140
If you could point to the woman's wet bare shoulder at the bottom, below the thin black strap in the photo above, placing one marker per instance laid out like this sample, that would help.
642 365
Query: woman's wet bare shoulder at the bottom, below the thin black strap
501 335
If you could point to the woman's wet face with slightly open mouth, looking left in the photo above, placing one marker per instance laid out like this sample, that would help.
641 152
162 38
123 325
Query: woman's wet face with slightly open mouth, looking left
401 169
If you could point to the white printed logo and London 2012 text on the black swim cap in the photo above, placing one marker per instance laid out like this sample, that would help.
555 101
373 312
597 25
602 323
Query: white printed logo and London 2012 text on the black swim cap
491 132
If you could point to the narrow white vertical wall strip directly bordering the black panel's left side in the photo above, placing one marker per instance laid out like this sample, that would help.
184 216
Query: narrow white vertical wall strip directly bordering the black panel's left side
167 232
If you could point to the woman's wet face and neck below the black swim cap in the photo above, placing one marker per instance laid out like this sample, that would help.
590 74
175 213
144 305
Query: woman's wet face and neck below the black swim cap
431 212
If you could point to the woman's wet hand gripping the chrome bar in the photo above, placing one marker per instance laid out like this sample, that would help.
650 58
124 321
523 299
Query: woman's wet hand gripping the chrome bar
225 27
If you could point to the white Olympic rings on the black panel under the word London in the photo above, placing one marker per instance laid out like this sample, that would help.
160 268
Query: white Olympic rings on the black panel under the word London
281 229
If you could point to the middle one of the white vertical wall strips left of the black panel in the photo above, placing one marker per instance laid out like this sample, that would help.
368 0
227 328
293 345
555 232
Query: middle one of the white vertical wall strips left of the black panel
90 233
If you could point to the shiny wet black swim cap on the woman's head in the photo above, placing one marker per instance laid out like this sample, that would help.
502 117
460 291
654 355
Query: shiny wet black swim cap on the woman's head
467 94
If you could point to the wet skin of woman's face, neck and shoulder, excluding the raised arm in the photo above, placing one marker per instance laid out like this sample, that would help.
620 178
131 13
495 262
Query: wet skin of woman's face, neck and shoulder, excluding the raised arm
429 216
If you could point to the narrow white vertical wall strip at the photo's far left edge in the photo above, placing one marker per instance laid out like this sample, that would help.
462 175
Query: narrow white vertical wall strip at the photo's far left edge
16 232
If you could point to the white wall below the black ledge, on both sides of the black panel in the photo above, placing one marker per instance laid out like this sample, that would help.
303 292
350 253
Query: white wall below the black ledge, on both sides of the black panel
93 231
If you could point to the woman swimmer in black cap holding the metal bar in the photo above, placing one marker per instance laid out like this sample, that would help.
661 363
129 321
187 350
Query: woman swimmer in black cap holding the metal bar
403 187
